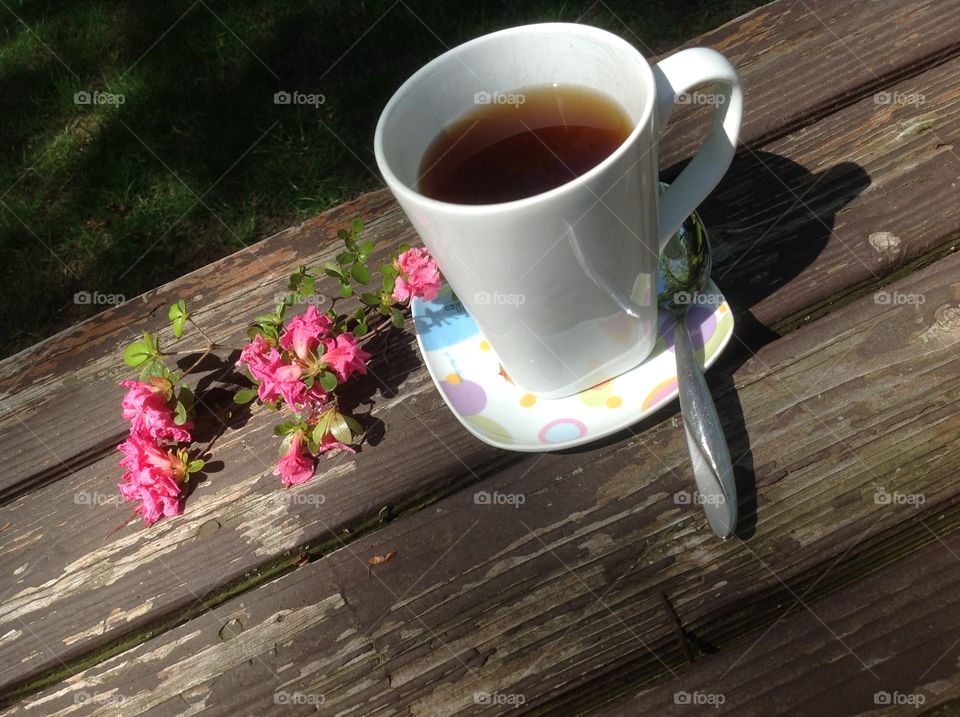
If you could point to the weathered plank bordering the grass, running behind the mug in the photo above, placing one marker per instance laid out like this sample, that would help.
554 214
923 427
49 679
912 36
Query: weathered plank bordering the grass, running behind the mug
765 45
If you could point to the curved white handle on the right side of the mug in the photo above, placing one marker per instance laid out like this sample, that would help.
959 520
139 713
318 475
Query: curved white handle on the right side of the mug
675 75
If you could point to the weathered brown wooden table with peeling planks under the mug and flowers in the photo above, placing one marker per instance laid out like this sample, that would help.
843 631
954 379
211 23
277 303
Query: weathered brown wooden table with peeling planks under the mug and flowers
835 234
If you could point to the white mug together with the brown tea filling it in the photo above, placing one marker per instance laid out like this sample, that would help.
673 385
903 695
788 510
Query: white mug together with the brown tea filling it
527 162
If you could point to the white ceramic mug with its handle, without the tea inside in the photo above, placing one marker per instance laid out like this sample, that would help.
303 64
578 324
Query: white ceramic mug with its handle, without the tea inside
563 283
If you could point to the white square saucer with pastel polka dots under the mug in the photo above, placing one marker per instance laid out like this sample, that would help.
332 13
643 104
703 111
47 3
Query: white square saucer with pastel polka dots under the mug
481 395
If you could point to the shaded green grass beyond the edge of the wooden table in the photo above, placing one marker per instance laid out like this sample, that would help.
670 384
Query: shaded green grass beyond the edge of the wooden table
198 161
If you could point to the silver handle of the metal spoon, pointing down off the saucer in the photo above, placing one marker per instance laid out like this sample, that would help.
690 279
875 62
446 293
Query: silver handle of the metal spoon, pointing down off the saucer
712 468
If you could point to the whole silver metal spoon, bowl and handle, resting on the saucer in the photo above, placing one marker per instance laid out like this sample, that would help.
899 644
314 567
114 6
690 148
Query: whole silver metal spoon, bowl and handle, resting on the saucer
684 271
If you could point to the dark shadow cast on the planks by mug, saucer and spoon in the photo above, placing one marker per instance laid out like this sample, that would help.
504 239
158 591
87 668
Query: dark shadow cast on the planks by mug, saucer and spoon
768 221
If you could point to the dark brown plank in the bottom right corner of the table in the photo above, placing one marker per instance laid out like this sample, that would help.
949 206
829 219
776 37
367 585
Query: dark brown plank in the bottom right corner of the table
903 623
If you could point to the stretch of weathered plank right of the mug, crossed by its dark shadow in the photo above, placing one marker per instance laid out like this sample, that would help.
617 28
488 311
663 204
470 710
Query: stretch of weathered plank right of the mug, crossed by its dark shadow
838 206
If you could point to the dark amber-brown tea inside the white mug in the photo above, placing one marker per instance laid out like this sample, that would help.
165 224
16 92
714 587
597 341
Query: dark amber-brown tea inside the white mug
518 144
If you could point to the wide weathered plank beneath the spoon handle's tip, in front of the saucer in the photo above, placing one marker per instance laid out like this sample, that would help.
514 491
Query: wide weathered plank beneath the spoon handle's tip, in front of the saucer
554 595
